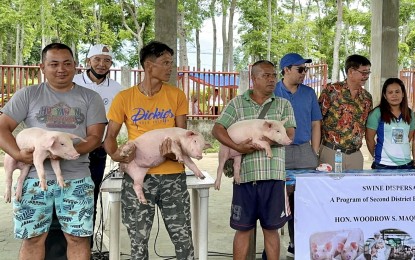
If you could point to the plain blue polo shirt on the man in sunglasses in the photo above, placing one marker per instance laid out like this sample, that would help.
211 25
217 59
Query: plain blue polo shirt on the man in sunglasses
306 109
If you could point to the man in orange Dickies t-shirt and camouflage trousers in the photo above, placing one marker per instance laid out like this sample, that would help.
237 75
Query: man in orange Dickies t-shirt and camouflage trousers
153 104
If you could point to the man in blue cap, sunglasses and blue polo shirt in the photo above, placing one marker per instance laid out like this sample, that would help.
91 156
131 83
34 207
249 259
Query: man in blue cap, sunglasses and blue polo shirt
302 153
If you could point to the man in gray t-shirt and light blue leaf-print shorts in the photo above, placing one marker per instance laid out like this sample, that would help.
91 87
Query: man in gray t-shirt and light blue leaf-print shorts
58 105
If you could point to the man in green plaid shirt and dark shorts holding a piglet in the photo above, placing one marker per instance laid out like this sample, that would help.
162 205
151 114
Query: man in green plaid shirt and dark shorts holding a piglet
261 193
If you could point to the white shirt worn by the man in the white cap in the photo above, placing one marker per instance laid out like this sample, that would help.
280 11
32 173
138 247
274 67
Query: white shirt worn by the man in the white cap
107 89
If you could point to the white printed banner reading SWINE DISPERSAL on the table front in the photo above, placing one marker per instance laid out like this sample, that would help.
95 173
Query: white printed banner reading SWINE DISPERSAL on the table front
355 216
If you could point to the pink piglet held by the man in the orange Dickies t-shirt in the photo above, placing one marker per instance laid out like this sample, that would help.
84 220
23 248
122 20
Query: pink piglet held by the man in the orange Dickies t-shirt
186 144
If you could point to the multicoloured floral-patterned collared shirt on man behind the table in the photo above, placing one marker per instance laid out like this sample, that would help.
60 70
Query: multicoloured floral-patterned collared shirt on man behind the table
344 117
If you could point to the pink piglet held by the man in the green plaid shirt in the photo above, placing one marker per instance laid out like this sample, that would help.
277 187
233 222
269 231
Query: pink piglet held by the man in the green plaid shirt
256 129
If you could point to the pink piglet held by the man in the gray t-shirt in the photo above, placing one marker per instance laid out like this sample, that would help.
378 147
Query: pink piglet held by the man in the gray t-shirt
45 144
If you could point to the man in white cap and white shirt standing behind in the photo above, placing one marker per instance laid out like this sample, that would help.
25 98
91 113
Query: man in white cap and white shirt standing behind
99 61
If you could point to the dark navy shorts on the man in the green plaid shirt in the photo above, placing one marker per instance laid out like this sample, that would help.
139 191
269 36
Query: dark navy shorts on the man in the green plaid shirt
263 200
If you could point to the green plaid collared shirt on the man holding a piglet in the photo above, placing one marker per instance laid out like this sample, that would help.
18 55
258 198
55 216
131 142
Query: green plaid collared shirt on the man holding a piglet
257 166
